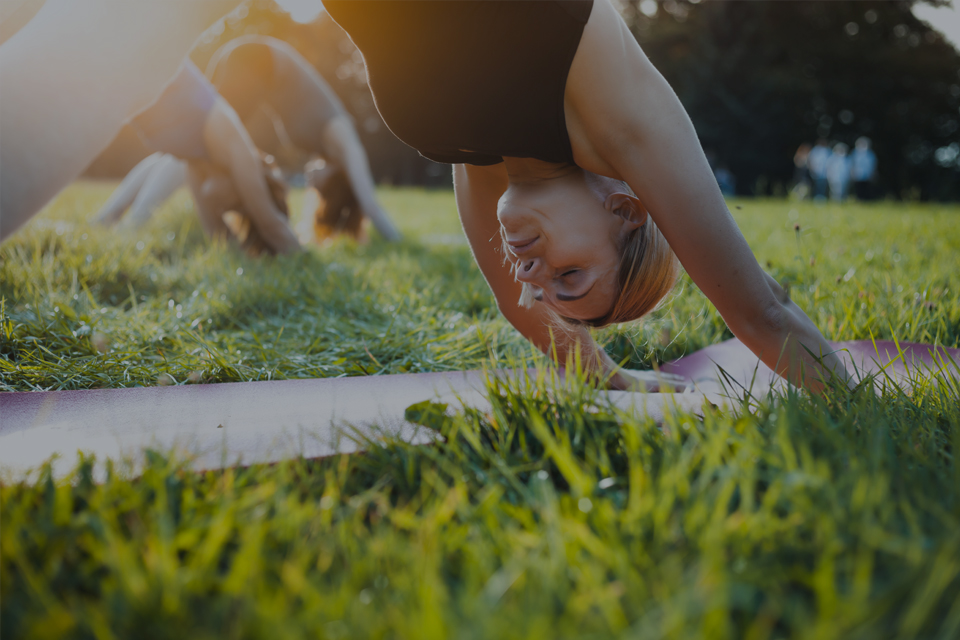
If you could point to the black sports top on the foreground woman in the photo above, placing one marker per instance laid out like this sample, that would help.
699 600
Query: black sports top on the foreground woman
470 81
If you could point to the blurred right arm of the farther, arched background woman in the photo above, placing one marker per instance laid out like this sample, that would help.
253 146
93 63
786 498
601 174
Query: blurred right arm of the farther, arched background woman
344 142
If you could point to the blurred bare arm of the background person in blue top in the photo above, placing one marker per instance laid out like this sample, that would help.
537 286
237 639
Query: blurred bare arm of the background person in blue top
230 146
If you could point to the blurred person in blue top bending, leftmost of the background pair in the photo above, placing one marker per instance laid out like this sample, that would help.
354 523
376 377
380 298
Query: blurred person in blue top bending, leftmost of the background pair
192 123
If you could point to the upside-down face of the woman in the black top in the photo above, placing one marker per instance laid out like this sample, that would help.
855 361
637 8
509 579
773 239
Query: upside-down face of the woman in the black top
562 236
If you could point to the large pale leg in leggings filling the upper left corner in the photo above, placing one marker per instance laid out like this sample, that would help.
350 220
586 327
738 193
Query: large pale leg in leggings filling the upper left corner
72 75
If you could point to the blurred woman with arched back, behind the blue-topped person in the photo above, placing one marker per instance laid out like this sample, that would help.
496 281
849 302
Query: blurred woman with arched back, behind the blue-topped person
261 76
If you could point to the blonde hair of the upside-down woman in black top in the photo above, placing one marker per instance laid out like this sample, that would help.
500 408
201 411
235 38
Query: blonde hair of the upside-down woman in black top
647 272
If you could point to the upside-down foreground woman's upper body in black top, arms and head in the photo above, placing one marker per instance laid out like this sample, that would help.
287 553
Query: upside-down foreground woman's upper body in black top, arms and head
574 149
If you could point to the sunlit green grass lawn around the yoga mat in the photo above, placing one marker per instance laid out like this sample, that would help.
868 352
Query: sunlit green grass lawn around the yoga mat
550 516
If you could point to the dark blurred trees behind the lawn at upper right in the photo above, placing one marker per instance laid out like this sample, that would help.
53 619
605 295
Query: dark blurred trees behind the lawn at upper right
760 78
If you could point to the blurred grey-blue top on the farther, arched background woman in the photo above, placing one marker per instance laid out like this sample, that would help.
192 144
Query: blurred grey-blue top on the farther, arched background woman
253 70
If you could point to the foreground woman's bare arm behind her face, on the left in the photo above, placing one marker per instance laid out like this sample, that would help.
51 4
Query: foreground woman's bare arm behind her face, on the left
477 190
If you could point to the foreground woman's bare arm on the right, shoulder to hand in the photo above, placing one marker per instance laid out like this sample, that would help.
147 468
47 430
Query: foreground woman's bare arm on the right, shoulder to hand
626 122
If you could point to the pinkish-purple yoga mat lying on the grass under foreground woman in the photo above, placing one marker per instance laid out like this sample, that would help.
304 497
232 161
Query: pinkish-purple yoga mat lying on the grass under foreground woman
259 422
